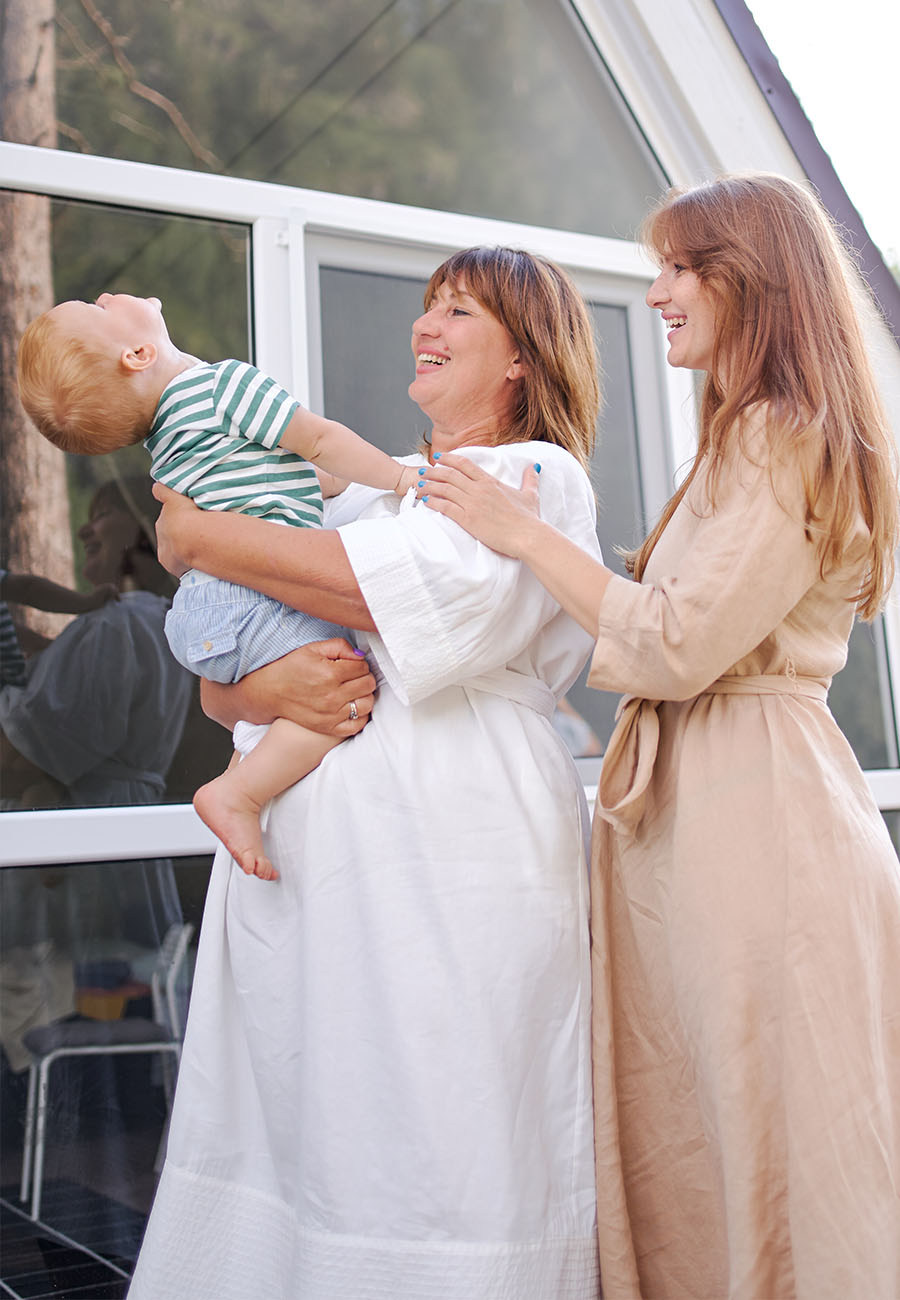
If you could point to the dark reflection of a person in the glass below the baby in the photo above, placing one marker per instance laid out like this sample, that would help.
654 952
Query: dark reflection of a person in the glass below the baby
96 723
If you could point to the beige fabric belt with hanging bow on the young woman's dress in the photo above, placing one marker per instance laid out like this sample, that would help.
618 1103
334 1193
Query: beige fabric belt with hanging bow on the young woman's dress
633 749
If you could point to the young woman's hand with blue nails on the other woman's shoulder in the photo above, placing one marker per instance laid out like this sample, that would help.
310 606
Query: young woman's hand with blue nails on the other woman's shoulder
500 517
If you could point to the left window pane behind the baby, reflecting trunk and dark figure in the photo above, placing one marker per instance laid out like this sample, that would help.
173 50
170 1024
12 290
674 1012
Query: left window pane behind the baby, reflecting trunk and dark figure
106 717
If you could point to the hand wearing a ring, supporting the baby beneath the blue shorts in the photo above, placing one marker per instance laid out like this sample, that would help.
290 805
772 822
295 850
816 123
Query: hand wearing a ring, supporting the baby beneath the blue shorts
326 687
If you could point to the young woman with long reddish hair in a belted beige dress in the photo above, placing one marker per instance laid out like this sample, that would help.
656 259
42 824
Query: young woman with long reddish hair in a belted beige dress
746 898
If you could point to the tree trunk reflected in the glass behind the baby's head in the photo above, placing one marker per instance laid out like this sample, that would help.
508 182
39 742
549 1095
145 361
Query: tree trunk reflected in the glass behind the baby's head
34 506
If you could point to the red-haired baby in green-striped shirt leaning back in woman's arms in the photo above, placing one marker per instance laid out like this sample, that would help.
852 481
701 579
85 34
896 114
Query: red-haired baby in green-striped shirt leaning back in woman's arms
99 376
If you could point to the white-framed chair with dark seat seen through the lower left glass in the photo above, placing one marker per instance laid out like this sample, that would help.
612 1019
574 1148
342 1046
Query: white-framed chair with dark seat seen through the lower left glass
158 1037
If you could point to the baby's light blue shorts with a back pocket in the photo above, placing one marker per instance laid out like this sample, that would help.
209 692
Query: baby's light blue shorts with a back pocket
222 631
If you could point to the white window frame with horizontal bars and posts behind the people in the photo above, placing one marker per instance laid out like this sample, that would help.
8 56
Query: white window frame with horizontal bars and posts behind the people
295 231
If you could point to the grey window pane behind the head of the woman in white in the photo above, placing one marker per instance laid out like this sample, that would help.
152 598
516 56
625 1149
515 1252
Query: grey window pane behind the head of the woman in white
377 313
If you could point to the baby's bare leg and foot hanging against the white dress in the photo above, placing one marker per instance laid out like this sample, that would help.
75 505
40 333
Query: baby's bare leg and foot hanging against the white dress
231 805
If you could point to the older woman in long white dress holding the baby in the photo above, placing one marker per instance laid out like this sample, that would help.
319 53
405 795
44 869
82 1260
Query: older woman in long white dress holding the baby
386 1087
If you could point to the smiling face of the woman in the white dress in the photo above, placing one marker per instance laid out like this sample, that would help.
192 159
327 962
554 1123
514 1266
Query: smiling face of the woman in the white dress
468 369
